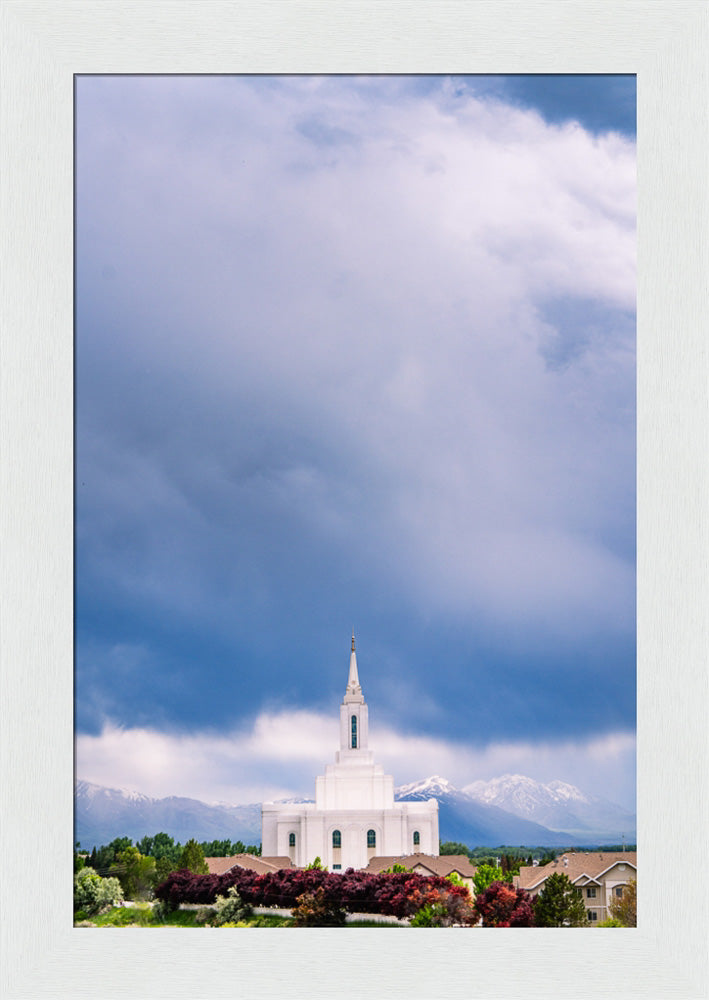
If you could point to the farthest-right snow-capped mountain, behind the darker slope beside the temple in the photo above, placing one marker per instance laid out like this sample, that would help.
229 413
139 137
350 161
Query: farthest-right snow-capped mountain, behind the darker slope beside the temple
557 805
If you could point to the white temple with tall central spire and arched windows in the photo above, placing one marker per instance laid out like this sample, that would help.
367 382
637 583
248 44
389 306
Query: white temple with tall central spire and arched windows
354 817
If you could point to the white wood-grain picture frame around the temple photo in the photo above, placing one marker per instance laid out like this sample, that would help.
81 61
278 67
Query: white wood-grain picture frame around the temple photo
44 44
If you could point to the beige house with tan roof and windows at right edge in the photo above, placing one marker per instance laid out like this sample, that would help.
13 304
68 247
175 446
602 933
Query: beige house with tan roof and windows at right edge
600 876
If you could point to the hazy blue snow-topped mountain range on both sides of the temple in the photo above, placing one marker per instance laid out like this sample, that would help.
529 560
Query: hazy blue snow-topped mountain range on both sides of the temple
512 809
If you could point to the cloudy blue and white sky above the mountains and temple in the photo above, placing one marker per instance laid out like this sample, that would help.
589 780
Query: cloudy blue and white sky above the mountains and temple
354 352
